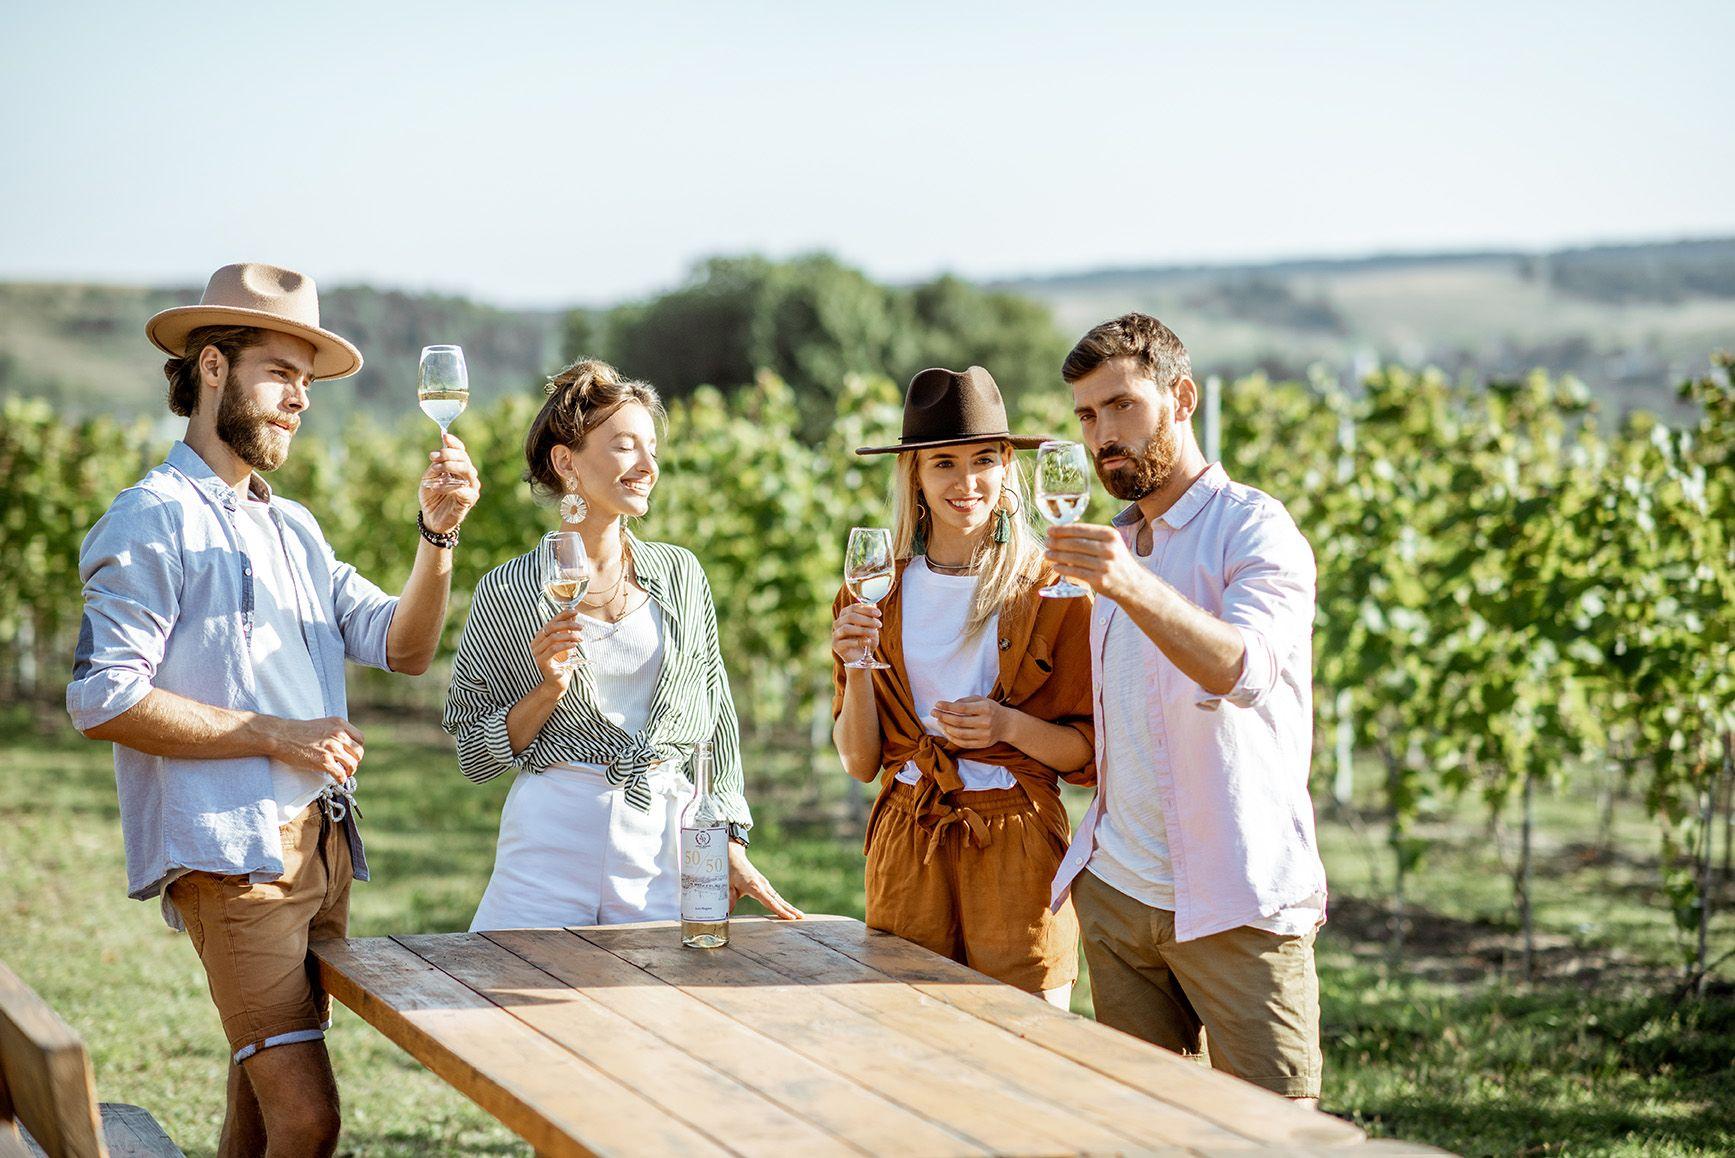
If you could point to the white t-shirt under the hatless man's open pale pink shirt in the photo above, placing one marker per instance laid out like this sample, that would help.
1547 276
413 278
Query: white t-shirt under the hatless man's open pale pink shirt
1132 838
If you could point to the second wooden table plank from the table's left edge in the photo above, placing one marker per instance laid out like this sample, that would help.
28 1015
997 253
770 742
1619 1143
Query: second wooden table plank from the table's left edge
683 1084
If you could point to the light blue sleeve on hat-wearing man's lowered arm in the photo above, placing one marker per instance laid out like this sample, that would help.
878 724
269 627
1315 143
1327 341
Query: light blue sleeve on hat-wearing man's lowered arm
131 572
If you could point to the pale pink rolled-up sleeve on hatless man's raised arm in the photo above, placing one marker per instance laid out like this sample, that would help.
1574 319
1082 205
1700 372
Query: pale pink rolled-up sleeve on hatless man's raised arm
1269 593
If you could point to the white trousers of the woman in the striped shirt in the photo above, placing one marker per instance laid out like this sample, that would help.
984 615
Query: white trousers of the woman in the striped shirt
575 853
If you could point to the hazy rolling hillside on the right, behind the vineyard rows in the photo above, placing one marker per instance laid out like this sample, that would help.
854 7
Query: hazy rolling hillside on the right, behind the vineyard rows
1630 320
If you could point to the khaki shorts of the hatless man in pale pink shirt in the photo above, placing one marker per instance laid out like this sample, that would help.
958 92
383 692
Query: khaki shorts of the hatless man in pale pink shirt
1247 996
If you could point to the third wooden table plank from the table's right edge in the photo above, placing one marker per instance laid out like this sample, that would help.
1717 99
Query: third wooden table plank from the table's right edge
907 1070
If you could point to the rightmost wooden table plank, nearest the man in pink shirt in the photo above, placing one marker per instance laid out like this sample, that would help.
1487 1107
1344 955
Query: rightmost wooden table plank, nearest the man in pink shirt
1207 1093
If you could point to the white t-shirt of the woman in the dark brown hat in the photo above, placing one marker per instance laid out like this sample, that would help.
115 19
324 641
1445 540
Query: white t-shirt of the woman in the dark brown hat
943 664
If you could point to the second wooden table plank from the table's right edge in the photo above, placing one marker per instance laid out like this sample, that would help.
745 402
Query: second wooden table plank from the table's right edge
1132 1115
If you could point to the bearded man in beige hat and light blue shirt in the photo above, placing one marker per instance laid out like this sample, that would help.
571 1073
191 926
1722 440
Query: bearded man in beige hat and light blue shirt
213 648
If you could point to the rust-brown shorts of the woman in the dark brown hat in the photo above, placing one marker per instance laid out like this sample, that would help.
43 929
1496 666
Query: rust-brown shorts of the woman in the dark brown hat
981 900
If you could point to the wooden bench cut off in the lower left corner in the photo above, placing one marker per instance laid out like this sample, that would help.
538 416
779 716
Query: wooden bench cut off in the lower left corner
48 1096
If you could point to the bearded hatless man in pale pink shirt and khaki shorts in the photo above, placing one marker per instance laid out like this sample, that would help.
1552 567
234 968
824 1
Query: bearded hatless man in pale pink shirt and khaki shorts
1196 872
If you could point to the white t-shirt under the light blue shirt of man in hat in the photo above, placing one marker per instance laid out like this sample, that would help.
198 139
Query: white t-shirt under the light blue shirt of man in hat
284 673
